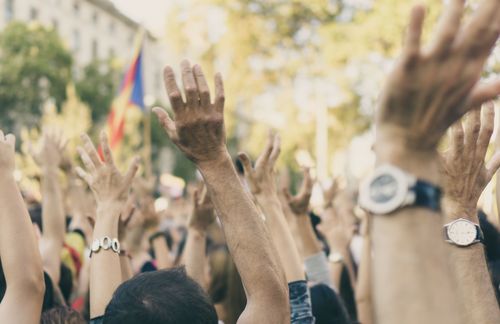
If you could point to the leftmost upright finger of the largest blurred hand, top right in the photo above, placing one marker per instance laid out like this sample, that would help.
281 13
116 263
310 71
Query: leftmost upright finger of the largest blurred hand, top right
413 37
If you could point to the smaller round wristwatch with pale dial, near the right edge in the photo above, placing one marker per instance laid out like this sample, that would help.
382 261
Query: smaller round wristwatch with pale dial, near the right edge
462 232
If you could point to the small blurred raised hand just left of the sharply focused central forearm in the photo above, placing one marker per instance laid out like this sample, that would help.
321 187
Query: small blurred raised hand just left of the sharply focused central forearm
203 214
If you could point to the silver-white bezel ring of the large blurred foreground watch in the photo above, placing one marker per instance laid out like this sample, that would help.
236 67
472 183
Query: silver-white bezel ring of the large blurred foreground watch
402 197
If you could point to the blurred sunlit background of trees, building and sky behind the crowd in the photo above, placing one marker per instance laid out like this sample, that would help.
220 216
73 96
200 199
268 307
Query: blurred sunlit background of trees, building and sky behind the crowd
311 70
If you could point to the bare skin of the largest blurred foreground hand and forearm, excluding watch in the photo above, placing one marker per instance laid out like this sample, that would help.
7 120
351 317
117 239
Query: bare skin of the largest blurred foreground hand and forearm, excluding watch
428 90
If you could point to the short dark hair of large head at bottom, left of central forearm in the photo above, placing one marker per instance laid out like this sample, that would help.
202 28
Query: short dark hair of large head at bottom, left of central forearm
160 297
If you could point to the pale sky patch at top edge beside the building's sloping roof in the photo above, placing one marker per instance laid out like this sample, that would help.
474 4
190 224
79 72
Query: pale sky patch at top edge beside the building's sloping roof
151 13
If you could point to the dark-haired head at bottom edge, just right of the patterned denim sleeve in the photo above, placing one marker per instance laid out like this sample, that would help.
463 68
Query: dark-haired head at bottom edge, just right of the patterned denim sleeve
327 306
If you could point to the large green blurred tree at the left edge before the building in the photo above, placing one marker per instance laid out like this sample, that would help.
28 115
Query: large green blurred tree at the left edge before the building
34 67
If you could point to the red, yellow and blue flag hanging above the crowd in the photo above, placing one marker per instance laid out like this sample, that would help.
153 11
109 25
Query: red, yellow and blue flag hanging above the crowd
130 95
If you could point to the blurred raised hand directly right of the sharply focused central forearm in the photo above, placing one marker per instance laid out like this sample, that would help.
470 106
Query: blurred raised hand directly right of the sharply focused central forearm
261 178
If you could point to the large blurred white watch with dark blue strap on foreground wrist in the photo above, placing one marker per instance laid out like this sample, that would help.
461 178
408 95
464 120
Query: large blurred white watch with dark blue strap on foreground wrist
390 188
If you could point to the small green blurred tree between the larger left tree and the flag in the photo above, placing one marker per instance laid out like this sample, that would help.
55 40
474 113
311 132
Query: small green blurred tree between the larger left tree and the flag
97 87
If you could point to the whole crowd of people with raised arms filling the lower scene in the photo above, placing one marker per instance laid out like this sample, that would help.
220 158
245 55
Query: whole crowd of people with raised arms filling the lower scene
419 250
